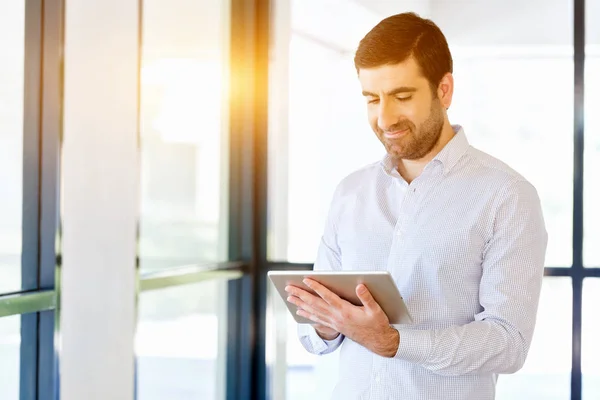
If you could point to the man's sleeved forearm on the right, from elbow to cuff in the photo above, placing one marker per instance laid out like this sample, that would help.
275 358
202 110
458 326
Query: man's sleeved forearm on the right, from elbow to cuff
488 346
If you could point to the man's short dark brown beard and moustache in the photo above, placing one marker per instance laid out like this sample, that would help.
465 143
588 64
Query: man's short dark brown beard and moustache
418 141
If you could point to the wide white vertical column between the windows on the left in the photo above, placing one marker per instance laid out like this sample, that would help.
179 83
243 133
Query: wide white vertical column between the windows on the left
99 200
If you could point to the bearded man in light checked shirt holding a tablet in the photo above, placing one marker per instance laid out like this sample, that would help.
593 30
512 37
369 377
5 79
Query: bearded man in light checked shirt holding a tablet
461 233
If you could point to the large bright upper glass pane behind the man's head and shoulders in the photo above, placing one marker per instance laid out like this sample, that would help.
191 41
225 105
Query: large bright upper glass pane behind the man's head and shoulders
501 87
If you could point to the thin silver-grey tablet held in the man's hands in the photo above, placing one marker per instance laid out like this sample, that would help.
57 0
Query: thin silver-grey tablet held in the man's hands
343 283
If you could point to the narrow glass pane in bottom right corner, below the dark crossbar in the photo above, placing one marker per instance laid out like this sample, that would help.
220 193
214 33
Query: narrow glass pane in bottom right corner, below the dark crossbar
590 346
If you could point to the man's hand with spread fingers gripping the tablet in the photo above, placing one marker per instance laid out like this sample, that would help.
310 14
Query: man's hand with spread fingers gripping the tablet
367 324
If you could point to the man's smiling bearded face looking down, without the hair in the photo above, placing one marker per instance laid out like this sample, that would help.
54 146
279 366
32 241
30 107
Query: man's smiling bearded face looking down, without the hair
404 113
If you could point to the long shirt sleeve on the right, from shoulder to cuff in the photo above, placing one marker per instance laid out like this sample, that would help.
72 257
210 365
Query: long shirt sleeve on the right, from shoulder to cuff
512 271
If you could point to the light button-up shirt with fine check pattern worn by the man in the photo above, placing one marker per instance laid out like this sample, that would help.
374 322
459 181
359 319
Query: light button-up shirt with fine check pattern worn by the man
465 242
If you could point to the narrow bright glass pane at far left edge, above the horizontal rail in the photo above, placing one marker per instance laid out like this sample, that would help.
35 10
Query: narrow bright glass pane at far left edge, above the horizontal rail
12 39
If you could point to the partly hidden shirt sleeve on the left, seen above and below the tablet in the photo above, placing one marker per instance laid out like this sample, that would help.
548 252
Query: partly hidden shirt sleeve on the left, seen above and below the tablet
328 259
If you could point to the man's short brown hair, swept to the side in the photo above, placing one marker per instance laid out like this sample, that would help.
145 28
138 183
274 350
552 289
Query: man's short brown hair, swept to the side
396 38
